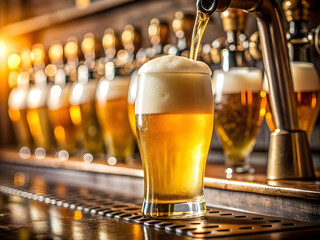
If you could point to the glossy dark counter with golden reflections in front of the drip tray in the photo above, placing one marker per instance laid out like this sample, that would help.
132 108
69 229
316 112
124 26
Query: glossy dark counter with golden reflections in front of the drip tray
37 220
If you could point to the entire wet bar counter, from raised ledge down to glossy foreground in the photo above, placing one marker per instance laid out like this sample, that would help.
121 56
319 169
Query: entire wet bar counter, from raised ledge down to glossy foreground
75 194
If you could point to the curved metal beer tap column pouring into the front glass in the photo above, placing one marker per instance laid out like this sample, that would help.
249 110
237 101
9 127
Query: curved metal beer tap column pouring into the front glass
289 151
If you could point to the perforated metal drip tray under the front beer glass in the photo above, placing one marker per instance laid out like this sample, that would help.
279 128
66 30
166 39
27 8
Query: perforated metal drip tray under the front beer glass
216 223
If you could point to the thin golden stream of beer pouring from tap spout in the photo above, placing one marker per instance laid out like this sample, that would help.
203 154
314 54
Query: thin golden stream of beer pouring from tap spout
198 30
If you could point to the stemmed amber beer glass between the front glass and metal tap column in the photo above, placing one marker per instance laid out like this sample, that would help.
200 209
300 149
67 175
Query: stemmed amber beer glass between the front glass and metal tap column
239 108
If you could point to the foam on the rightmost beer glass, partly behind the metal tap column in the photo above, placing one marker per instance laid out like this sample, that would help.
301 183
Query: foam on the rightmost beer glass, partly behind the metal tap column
304 76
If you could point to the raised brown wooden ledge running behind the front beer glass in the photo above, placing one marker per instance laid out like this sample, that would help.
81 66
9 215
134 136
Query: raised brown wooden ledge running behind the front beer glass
215 176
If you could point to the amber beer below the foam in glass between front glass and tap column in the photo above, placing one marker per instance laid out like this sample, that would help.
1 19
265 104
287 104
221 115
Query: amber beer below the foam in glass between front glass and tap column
238 117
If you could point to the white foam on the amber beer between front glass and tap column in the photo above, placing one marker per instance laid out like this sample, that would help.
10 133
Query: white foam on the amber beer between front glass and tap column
237 80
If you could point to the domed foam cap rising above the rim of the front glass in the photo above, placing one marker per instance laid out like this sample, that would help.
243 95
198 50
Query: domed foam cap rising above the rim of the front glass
174 64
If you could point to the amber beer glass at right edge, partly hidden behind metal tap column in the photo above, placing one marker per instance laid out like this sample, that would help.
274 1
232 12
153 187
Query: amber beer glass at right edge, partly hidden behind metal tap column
307 92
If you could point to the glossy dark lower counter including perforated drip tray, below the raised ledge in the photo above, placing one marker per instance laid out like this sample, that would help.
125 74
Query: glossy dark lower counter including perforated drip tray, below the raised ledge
37 204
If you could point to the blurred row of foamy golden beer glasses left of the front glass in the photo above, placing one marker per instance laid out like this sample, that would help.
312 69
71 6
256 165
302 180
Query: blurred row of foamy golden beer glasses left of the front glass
71 114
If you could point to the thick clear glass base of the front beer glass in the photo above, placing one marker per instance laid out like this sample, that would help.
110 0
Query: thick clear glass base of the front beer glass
174 210
